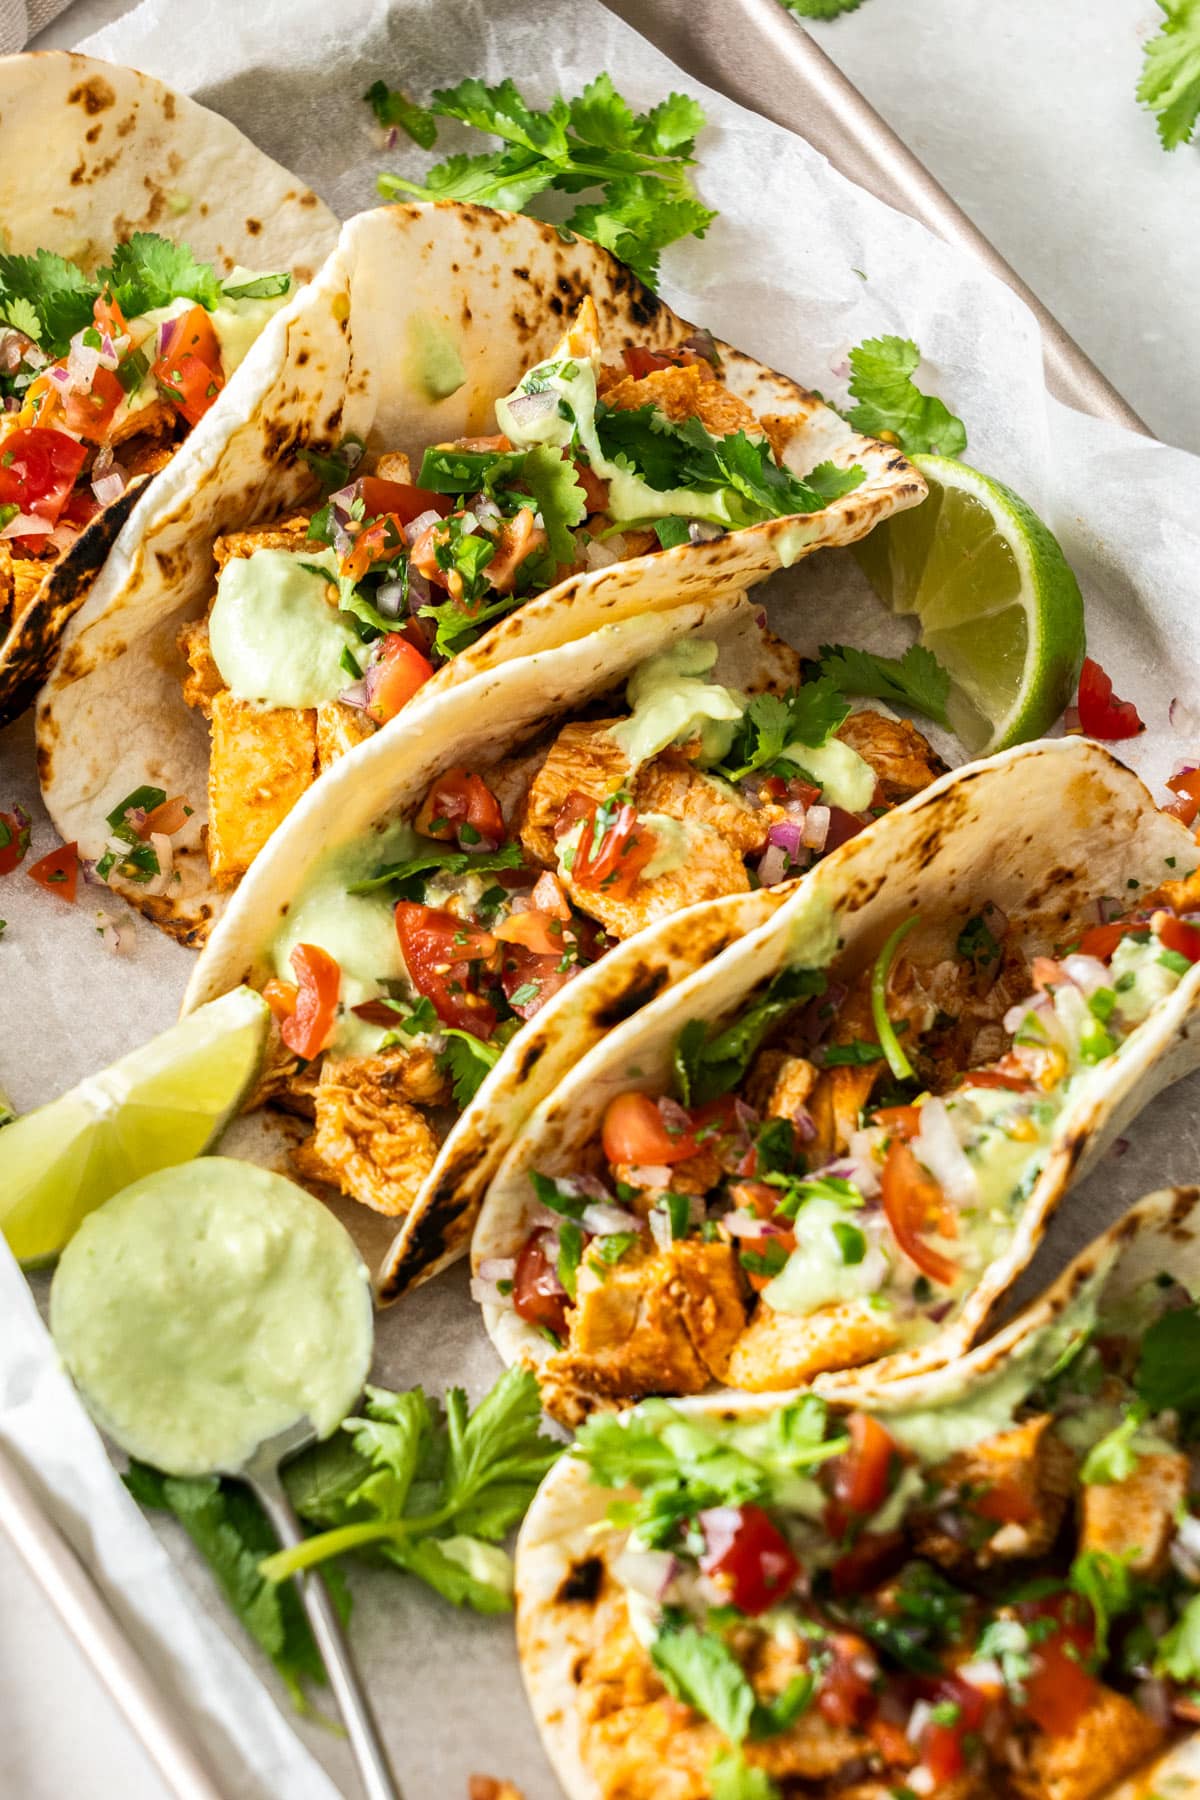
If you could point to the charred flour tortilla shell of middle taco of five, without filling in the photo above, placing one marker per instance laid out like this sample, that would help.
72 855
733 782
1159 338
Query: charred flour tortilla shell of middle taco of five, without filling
481 723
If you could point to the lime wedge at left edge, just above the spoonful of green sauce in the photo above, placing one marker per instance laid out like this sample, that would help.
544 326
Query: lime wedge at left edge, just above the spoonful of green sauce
163 1104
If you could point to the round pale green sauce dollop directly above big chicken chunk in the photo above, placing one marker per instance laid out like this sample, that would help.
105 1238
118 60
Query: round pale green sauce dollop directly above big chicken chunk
274 634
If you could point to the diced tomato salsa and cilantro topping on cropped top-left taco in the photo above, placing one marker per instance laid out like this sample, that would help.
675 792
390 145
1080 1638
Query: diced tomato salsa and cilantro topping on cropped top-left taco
103 373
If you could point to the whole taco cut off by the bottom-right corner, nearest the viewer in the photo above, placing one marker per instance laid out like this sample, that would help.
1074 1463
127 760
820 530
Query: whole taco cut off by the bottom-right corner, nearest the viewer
976 1585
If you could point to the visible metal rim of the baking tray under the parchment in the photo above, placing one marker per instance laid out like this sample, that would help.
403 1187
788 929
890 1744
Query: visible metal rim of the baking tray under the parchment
760 57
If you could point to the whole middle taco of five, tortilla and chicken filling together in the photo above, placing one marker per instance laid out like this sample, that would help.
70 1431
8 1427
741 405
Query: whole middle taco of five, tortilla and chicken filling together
456 877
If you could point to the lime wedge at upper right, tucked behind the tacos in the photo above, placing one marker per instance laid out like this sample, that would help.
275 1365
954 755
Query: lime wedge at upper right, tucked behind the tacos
996 598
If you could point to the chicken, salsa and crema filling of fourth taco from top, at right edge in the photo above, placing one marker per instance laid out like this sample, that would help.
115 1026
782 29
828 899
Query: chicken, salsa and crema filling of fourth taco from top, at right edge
841 1164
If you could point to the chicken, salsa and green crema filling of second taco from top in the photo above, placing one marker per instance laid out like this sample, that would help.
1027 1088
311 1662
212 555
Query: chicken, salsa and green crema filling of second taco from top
325 625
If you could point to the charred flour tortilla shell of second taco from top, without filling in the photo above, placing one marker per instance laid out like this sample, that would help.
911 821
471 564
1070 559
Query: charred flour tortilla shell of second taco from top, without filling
407 292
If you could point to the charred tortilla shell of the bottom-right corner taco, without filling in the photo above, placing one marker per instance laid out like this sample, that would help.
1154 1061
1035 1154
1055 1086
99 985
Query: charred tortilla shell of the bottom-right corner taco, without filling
568 1606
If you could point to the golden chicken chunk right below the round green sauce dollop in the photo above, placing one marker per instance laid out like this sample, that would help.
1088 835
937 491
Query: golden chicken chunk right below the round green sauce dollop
262 762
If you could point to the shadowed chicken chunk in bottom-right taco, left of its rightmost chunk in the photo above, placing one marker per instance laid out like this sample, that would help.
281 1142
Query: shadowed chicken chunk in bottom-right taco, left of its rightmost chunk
1014 1486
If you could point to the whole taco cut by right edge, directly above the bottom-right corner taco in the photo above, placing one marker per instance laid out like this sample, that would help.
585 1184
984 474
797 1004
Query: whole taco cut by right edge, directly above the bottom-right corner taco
841 1144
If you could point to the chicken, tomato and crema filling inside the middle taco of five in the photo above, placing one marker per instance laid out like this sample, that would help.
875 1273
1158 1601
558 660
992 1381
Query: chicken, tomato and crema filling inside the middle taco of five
409 958
